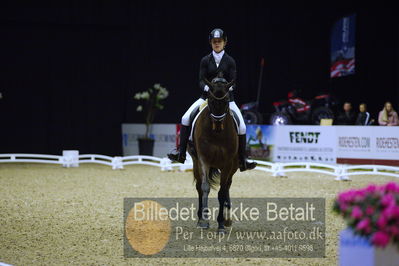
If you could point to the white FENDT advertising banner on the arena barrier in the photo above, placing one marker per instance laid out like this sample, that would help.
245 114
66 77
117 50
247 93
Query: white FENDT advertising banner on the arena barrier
304 144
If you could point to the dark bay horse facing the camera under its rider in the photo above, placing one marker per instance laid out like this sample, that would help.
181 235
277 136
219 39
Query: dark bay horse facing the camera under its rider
215 157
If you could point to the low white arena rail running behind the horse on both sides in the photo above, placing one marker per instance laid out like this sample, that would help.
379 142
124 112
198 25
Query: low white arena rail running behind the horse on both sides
340 172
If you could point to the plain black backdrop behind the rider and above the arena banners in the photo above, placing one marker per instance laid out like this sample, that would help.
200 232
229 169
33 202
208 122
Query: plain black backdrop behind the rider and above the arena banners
68 74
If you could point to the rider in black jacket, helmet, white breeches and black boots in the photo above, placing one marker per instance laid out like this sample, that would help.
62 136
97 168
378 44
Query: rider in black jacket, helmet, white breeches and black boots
212 64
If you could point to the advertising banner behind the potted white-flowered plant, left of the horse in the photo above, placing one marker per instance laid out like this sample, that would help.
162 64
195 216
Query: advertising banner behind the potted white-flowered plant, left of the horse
163 134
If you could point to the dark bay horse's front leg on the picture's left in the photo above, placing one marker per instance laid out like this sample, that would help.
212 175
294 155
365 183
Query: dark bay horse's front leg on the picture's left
203 210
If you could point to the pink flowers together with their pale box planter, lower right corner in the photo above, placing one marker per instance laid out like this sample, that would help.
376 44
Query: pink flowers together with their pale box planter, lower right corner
372 216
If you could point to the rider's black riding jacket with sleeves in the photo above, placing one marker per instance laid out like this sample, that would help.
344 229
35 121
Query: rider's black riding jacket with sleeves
209 70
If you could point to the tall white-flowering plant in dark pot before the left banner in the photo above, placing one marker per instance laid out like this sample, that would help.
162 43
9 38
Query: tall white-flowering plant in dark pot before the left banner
151 101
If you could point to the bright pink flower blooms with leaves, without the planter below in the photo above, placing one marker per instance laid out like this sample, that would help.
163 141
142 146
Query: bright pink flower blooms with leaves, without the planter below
372 212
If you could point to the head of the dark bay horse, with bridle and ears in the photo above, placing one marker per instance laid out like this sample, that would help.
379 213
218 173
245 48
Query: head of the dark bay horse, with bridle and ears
218 100
